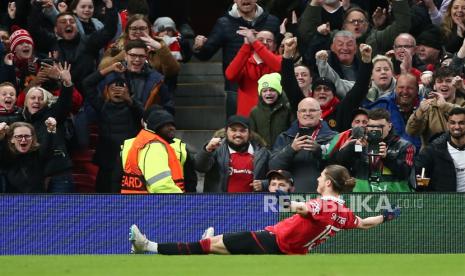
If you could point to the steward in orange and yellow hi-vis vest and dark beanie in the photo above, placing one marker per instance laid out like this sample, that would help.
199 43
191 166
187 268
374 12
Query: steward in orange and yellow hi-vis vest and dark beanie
155 161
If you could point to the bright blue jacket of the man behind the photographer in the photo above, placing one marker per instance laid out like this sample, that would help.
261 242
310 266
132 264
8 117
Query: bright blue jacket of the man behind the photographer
388 102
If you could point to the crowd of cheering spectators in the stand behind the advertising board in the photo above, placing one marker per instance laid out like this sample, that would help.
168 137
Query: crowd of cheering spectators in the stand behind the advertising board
375 86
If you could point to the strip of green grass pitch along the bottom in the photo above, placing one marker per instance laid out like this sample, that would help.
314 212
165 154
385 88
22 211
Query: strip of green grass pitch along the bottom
313 264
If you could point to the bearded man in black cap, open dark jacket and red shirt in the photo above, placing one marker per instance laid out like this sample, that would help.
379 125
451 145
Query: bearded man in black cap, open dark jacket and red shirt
232 163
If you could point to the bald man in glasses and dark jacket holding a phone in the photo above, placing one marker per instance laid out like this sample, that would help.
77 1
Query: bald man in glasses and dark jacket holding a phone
298 149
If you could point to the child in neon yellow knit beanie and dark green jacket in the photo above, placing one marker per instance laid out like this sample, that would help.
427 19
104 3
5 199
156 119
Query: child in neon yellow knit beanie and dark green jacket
272 115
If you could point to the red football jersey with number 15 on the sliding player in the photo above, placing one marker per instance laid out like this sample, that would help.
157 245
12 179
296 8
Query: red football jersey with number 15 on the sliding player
327 215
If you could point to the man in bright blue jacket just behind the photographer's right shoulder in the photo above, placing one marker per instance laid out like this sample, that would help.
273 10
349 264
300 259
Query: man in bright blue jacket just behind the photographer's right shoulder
401 104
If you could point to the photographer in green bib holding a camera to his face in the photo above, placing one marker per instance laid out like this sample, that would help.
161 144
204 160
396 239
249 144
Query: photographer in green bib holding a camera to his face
385 161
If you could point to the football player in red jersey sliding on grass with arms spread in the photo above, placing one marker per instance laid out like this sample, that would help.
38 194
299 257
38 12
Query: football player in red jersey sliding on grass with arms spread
314 222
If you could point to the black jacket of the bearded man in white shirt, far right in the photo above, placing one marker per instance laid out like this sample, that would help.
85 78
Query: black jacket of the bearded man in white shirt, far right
439 166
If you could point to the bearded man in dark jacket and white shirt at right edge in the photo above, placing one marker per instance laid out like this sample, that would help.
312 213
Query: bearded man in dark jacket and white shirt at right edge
443 161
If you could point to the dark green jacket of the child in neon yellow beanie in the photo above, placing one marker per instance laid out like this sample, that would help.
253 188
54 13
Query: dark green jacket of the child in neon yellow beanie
269 121
